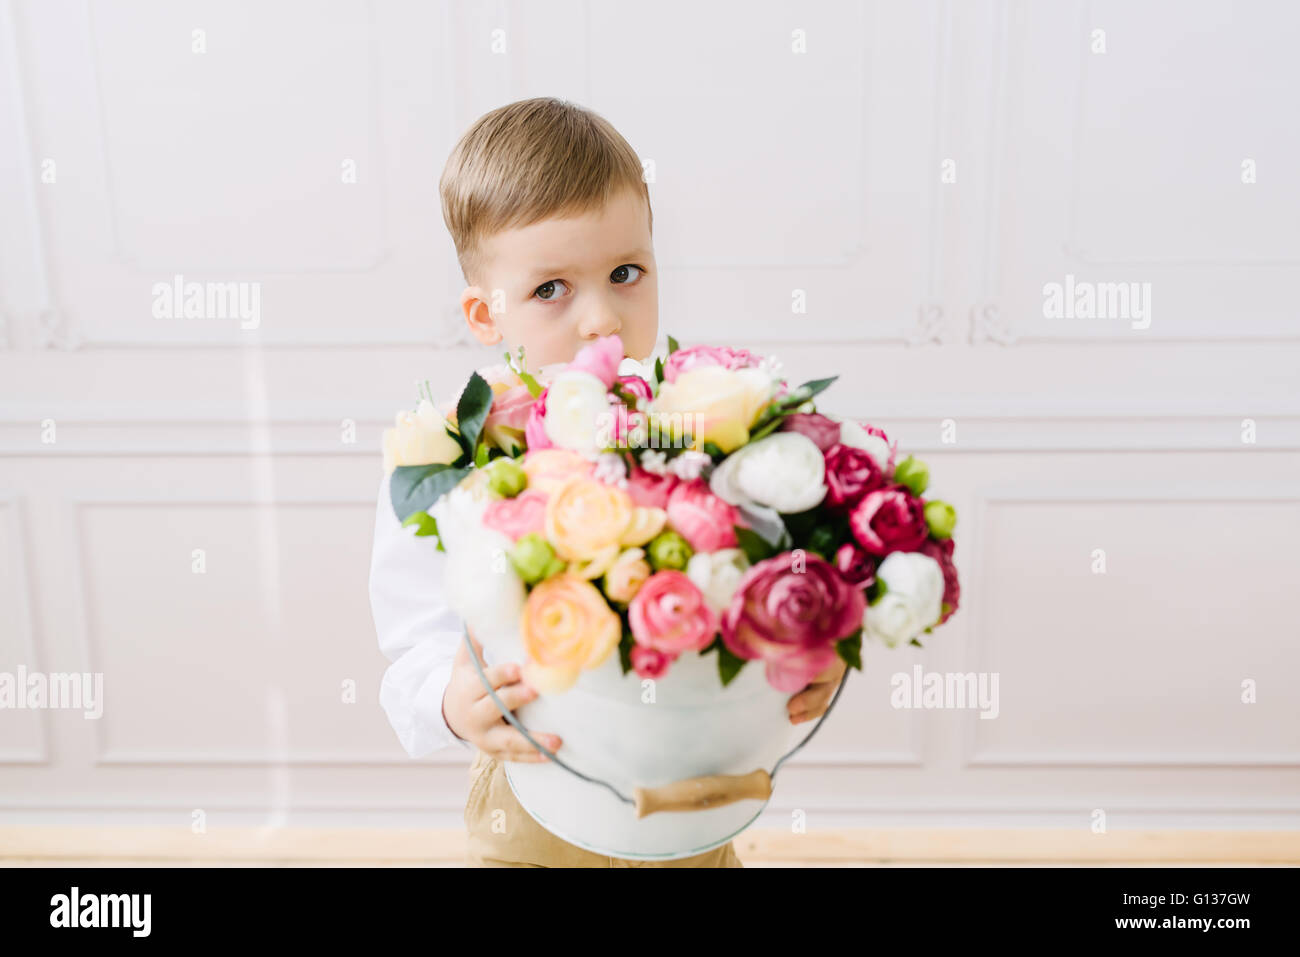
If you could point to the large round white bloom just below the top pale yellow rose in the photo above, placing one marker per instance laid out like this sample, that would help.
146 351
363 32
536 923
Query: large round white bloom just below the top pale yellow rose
785 471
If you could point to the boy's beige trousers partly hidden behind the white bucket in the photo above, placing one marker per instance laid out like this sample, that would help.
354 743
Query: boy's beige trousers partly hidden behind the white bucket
523 843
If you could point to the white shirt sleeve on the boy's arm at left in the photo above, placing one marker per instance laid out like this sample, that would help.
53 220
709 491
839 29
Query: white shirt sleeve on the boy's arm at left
419 634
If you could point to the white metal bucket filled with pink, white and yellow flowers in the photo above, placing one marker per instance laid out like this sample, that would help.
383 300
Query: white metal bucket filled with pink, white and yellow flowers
670 556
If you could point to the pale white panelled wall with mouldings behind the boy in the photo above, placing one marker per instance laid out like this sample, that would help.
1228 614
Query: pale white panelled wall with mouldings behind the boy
915 172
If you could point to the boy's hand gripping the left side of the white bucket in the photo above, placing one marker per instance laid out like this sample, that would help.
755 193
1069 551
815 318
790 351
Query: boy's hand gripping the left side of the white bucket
475 717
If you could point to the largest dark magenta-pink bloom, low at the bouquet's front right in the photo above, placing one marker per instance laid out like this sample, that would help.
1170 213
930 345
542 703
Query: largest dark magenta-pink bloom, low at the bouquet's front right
790 616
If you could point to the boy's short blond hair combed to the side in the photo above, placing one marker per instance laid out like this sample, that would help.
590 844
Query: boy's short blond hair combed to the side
527 162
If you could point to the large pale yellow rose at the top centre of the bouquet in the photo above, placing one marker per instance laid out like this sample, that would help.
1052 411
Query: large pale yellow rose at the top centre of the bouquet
714 404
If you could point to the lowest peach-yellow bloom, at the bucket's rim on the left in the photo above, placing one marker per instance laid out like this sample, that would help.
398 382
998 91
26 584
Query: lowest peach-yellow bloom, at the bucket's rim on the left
567 627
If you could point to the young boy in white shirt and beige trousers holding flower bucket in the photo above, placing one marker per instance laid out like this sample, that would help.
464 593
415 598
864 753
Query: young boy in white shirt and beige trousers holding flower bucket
552 222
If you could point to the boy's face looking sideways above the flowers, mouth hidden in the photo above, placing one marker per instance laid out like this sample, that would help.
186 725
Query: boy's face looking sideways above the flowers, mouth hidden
560 284
